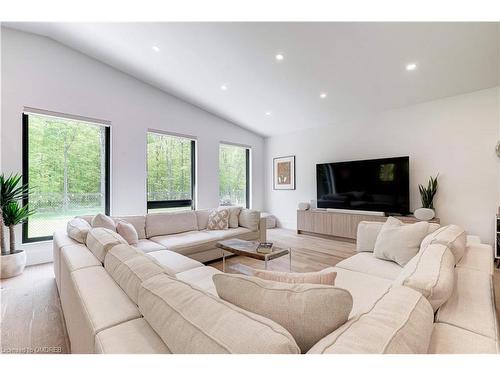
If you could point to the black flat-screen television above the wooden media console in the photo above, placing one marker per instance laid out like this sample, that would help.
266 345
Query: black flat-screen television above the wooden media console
370 185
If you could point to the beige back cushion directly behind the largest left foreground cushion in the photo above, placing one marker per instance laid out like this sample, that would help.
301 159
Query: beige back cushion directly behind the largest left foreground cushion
129 267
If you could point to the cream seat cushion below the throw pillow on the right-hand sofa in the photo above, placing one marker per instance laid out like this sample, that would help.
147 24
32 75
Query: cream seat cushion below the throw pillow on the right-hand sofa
369 264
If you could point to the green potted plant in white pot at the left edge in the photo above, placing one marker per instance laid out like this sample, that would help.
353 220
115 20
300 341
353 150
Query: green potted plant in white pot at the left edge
12 190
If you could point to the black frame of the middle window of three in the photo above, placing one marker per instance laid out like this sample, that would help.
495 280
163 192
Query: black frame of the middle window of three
179 203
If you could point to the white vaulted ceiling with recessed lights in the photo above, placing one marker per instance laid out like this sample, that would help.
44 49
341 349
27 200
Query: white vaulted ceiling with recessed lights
232 70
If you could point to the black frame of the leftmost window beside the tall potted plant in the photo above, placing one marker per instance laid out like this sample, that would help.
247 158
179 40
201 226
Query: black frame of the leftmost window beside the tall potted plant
25 152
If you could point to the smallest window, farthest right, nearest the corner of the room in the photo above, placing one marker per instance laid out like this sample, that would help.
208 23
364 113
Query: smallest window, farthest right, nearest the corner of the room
234 175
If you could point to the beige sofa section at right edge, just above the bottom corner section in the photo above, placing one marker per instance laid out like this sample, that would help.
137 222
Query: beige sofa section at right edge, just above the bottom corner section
472 304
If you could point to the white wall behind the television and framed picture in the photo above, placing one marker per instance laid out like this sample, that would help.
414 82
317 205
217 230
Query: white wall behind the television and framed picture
454 136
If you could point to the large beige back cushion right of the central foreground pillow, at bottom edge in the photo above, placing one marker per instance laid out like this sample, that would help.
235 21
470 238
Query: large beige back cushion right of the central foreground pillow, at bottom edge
400 322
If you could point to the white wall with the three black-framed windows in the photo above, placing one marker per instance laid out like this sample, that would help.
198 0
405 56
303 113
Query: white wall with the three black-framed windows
40 73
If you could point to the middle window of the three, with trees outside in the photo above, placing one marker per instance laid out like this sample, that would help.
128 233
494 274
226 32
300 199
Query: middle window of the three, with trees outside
171 172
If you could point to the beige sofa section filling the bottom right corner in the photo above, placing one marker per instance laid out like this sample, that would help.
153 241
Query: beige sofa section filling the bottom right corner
448 339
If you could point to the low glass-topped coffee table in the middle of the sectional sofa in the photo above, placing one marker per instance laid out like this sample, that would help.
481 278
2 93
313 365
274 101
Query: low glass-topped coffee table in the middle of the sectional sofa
249 249
